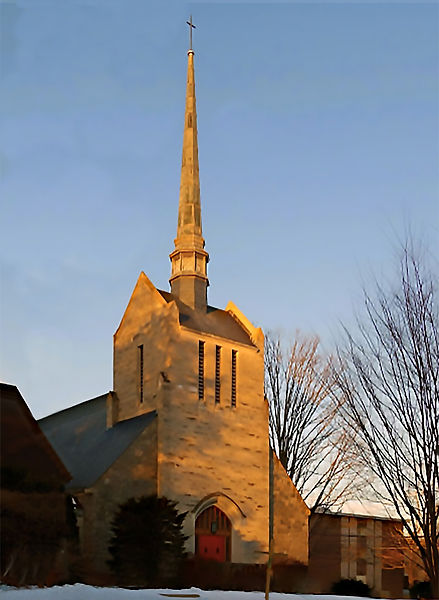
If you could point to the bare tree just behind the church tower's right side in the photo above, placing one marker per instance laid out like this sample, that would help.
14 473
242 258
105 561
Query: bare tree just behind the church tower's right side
304 432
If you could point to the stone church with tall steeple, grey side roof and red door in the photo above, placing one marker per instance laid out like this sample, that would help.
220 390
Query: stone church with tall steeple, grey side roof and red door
187 418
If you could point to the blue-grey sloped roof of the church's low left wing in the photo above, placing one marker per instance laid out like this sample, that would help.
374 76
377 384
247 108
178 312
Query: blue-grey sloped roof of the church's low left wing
80 437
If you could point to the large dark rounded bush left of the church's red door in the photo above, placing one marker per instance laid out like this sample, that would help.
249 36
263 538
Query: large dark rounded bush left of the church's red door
147 546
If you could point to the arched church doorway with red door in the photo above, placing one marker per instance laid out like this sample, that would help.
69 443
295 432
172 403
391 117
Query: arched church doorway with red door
213 531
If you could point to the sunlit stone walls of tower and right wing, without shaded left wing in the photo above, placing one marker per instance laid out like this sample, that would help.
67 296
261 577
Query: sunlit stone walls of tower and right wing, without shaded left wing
209 452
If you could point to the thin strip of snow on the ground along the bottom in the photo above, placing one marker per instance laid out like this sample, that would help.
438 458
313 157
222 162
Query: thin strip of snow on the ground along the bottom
87 592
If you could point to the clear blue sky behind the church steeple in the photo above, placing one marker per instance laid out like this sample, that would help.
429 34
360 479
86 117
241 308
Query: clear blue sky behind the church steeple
319 148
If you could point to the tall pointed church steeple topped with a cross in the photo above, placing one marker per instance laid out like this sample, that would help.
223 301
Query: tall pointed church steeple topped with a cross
189 259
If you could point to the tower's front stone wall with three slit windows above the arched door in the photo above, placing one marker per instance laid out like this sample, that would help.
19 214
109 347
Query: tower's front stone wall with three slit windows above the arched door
214 450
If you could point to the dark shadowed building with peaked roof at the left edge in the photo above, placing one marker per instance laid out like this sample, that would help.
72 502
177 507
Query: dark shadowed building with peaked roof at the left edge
35 520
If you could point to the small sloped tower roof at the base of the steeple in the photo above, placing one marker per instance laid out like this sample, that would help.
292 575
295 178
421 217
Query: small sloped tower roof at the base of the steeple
214 321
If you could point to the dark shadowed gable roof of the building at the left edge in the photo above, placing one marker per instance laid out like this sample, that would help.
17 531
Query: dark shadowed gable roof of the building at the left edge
23 444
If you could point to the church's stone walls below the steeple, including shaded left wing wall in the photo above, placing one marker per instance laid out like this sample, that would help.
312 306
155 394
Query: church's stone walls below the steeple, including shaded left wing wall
199 452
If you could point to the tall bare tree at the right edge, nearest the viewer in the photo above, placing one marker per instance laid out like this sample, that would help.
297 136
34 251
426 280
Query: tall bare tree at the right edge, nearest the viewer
389 378
